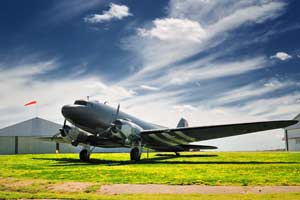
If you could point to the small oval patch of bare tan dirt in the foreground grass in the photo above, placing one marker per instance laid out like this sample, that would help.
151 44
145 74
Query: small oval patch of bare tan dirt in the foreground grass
70 187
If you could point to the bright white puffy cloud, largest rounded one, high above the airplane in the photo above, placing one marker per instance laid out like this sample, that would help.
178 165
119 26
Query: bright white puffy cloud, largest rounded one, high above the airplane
171 29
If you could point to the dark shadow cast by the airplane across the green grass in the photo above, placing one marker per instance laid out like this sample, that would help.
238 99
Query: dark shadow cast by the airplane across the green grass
159 159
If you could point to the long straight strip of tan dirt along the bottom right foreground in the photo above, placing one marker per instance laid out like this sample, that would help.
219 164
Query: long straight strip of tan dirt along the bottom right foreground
193 189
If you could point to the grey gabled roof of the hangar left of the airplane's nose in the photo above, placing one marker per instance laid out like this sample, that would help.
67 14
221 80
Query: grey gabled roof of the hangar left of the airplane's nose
35 127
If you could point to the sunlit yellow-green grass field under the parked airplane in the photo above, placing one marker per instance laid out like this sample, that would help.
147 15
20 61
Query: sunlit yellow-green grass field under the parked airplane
214 168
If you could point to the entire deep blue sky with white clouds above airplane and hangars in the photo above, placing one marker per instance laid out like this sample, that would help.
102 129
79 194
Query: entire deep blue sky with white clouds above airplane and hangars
212 62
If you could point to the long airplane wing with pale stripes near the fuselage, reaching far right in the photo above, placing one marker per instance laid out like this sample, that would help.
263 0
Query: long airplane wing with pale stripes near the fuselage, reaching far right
159 138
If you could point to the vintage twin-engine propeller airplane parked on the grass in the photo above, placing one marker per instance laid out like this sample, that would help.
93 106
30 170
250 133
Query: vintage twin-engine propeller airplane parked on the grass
95 124
